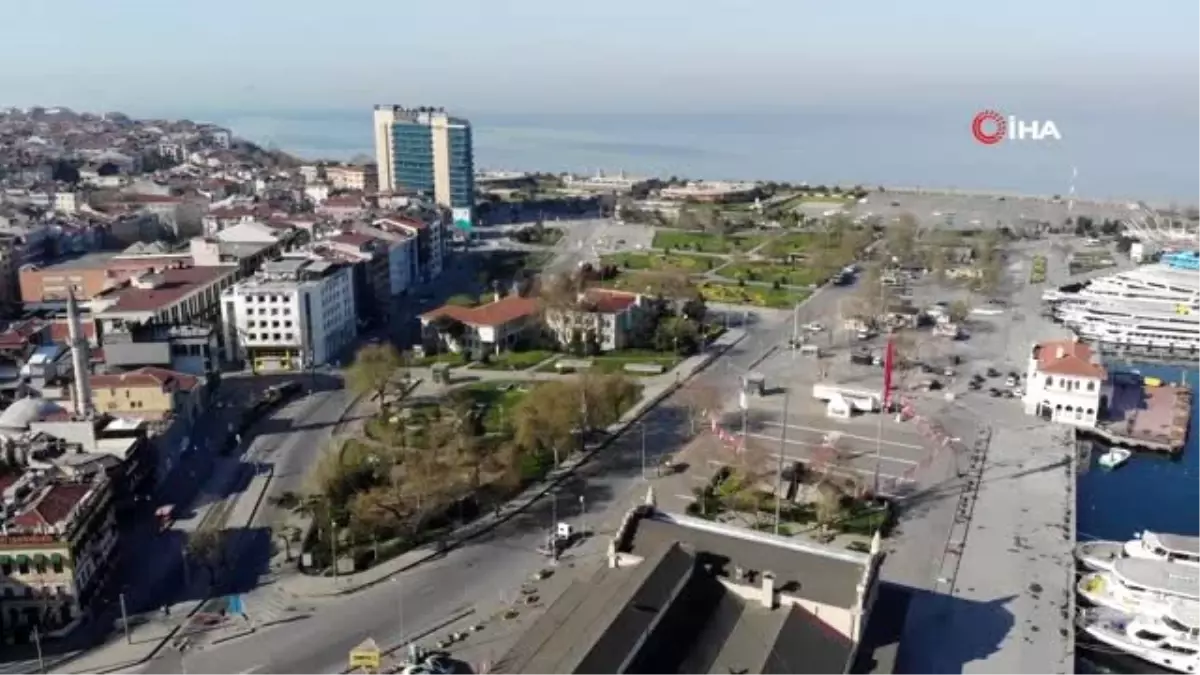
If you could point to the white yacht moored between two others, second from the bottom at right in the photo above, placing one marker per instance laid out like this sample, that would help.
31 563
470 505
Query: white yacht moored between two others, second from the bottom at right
1142 587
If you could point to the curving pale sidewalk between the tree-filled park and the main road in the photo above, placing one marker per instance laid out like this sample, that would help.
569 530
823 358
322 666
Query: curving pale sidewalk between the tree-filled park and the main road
656 391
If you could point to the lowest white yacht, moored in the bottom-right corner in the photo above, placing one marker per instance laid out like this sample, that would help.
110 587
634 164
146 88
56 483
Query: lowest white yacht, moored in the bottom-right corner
1172 641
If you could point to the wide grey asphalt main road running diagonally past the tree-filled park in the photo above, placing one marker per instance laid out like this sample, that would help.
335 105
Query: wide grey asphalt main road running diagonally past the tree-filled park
491 569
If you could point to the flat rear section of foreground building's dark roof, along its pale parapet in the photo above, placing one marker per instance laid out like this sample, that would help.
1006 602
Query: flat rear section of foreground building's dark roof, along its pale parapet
806 571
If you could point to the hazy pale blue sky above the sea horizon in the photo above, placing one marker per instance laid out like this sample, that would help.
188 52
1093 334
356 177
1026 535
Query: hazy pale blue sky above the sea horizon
610 56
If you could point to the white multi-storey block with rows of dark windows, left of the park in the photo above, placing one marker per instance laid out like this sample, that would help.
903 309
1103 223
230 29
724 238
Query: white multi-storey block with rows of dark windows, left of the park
293 314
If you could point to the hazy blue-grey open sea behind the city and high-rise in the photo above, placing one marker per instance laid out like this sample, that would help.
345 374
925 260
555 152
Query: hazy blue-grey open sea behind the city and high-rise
1102 157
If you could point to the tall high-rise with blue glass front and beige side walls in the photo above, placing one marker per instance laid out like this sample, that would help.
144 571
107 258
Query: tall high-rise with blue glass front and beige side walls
427 152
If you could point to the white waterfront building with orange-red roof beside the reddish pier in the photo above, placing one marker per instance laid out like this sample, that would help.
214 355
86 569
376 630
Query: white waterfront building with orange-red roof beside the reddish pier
1067 384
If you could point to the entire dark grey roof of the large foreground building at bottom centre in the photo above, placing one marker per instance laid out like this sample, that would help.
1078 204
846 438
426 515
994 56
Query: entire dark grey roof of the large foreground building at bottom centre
670 613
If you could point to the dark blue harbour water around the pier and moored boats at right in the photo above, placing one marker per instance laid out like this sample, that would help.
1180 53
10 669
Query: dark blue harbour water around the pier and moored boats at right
1151 492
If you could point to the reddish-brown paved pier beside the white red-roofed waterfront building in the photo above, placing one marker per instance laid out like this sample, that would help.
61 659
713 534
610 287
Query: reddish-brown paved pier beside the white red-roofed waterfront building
1145 419
